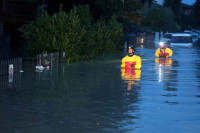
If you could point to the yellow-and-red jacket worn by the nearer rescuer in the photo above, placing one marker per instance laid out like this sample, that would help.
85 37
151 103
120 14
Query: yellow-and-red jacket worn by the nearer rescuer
131 62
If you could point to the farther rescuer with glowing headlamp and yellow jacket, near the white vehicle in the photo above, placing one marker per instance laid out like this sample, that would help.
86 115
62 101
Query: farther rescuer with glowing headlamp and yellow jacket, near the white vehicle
163 51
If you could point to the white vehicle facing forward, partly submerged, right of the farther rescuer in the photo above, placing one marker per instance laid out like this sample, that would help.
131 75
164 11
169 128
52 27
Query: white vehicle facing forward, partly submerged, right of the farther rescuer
181 39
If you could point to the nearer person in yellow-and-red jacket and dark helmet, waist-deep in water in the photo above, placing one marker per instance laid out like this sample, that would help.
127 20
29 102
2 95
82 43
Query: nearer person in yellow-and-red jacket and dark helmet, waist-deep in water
131 60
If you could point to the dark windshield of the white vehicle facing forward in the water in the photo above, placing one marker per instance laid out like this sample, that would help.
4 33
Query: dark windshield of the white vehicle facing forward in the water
181 39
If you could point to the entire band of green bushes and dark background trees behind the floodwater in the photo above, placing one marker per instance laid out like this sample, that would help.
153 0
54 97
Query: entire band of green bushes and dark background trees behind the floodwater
85 29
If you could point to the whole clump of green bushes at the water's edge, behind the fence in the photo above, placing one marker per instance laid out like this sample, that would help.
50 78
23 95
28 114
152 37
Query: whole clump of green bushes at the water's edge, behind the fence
74 32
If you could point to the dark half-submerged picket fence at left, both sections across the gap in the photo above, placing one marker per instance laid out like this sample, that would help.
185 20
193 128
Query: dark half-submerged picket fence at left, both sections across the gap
10 75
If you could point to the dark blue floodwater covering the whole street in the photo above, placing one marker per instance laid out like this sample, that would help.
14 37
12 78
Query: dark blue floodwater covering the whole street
96 96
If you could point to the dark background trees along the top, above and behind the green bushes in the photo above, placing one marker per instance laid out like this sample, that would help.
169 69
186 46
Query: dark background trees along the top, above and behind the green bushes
139 12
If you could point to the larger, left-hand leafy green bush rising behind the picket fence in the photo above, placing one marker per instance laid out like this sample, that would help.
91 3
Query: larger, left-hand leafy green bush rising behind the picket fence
60 32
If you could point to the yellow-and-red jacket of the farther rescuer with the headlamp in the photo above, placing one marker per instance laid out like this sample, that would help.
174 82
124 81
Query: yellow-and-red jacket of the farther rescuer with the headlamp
163 52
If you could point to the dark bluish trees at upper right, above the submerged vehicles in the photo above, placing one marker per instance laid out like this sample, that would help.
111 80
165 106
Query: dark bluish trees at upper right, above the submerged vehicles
170 17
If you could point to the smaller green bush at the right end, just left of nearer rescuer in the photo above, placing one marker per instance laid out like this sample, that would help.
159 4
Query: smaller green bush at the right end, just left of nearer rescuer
108 36
